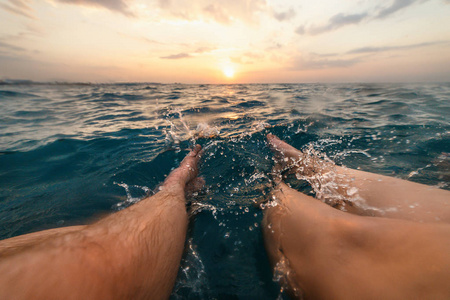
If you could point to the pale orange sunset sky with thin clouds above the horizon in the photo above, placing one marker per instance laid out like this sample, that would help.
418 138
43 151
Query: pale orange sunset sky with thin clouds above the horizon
225 41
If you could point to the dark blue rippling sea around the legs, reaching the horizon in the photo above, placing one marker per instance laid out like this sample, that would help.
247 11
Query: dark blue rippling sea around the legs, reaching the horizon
71 153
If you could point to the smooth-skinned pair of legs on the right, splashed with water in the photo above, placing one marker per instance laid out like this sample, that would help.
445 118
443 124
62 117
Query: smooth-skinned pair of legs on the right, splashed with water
391 242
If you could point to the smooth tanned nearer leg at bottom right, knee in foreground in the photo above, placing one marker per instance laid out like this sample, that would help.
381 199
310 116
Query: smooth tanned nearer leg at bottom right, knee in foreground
324 253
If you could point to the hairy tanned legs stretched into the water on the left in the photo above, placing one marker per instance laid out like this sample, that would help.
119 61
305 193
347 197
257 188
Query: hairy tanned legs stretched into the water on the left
133 254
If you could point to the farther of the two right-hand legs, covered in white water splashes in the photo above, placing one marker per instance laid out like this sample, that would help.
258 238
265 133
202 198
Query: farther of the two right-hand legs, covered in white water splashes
368 194
